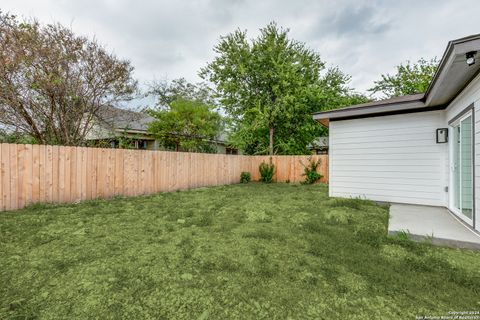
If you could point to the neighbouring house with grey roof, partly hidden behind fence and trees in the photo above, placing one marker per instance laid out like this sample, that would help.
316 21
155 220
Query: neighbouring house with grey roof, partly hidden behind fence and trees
116 125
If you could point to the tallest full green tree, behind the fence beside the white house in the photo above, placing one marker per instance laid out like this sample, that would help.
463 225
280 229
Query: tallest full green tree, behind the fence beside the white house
269 87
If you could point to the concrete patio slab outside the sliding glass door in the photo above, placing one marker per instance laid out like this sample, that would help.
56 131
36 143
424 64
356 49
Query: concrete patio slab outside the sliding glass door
435 223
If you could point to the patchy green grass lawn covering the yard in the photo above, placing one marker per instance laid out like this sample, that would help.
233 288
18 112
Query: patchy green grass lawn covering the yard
249 251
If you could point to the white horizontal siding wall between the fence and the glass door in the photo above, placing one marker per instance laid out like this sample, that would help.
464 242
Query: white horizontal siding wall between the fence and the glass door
389 158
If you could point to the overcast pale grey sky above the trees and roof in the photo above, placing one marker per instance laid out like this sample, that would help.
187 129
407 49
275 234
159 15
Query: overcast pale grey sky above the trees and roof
171 39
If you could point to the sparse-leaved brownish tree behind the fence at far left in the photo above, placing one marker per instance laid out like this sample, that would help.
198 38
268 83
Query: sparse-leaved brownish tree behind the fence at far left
53 83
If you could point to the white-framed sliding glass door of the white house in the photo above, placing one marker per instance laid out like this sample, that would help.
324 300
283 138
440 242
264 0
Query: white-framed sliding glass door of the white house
463 168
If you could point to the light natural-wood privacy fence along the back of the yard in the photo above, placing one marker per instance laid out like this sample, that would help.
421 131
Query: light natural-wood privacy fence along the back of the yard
39 173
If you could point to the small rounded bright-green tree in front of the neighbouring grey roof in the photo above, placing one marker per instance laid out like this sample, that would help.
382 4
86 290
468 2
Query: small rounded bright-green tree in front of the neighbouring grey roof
186 125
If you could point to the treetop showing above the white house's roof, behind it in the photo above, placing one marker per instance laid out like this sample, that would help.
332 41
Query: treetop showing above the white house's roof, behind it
410 78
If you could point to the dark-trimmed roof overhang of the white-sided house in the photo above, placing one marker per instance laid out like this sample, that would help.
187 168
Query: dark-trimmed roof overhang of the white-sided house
453 74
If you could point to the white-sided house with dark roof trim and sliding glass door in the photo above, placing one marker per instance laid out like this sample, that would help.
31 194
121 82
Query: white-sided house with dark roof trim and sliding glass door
390 150
